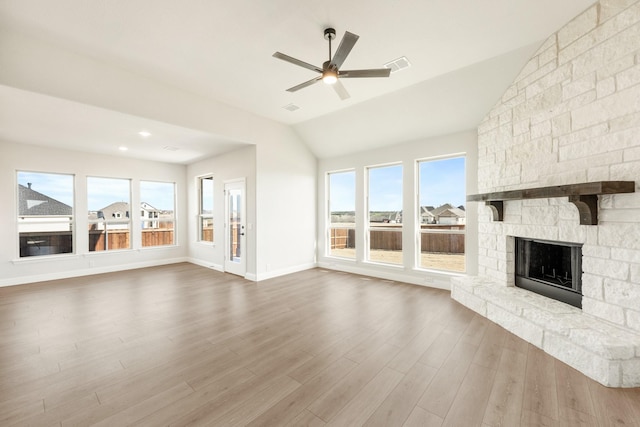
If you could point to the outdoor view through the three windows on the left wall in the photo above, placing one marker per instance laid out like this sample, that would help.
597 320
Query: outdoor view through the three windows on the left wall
46 217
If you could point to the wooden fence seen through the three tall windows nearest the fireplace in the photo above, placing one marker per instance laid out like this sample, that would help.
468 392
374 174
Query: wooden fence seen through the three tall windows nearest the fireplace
442 239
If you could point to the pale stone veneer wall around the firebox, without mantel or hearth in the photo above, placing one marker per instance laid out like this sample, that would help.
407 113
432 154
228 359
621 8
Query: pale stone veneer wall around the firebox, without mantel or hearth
571 116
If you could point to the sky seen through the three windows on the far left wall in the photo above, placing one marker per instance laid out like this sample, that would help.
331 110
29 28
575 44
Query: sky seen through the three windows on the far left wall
101 191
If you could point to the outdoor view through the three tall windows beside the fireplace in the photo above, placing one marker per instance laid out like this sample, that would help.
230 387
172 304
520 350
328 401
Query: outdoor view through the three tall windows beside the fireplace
441 215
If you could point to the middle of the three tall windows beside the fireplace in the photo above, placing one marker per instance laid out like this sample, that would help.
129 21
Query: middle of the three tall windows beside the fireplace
385 214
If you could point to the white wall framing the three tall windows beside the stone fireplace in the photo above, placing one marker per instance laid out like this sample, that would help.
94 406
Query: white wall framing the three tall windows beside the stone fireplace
407 153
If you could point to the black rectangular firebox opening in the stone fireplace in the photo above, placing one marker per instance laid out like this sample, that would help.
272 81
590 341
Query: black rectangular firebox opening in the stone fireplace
552 269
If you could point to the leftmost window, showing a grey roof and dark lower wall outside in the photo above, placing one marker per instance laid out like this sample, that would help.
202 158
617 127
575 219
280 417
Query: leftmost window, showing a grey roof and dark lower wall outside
45 213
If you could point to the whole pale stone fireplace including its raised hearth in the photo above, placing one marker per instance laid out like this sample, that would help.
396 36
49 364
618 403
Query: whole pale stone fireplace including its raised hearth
572 116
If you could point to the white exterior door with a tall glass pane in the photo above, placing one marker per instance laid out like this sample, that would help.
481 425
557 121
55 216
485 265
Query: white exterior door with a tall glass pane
235 246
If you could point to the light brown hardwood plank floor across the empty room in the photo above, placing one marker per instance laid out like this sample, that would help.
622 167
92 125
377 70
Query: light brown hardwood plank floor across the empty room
185 345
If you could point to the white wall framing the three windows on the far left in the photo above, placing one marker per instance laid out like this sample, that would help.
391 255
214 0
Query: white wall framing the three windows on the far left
14 157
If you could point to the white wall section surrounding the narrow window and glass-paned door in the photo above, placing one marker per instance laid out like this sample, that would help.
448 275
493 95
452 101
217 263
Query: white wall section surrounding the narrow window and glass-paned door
236 164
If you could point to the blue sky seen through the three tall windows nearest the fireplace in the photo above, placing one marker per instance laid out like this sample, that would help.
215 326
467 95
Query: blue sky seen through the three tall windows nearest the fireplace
441 181
